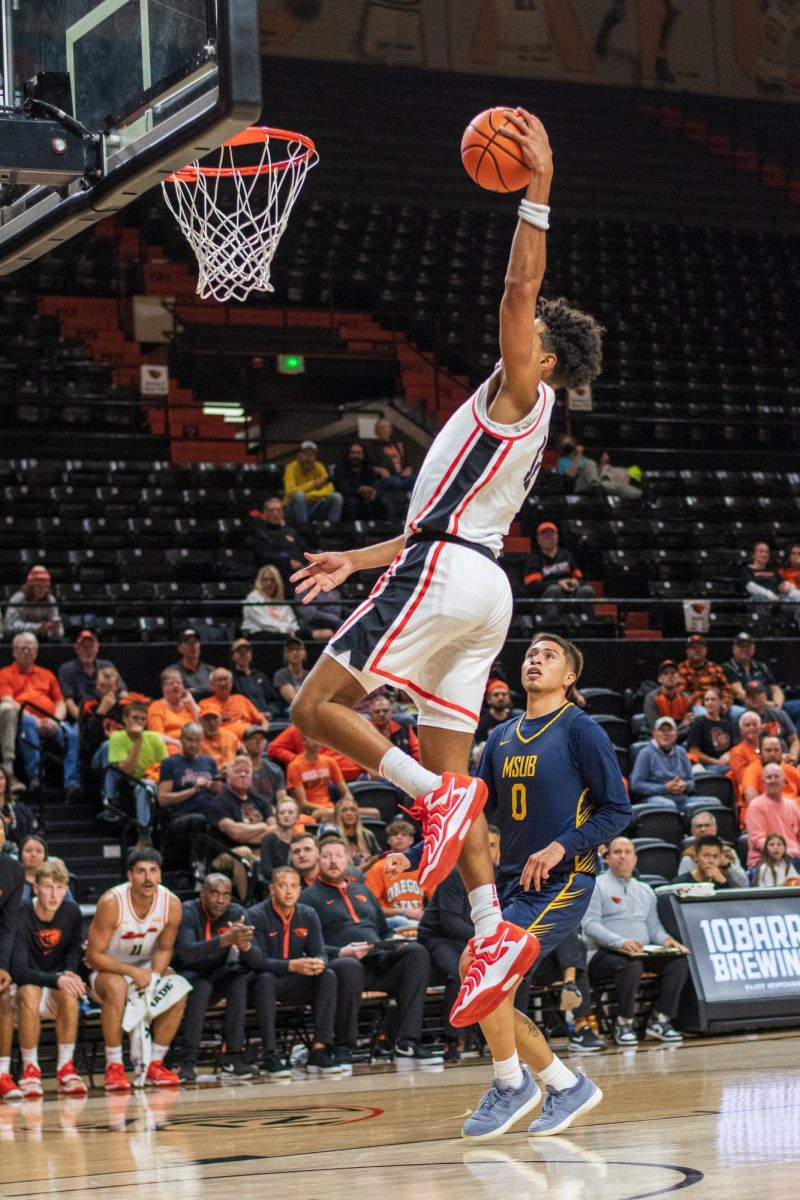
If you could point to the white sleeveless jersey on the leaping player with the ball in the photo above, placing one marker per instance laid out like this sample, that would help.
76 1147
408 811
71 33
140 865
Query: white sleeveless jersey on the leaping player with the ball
477 475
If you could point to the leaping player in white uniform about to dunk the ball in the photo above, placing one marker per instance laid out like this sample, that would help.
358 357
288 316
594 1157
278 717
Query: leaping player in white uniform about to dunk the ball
440 616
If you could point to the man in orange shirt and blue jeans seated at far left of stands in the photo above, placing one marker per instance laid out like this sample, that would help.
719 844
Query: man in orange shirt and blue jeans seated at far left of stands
26 683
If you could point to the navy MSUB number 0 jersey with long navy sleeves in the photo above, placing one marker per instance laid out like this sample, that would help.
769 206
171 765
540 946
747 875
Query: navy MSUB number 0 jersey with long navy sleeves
552 778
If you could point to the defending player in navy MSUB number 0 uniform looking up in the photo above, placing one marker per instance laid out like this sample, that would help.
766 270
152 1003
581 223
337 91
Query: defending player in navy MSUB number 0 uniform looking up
556 794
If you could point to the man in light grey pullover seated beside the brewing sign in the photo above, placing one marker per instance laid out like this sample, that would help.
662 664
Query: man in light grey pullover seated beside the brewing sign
621 921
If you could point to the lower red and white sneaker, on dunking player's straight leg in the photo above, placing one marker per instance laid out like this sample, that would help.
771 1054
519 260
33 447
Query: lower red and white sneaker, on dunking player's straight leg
498 965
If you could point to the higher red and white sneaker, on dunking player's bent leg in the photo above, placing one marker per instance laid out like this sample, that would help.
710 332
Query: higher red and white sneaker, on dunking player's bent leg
447 815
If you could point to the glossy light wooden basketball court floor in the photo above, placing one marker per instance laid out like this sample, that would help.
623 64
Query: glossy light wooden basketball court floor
712 1119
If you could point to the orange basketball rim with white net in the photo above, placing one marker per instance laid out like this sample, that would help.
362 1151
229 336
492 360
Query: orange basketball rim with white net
232 224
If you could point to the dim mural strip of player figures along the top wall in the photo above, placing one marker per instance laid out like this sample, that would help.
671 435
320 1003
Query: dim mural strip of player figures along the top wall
745 49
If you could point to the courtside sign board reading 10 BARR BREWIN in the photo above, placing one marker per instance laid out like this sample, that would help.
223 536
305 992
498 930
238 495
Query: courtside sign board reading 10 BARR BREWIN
745 961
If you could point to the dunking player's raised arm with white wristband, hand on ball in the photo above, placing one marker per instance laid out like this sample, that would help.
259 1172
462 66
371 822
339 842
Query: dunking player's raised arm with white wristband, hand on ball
520 343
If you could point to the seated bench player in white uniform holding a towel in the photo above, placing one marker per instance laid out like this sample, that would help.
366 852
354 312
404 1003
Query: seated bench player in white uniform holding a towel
131 941
